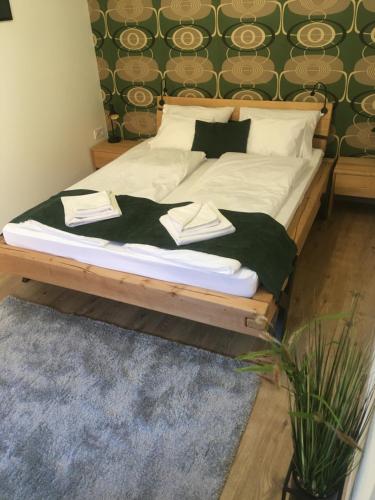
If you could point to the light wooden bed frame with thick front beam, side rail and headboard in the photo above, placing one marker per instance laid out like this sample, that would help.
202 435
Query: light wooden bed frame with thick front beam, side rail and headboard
247 316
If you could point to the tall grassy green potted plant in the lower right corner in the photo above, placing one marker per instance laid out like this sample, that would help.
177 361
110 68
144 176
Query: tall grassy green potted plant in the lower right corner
331 401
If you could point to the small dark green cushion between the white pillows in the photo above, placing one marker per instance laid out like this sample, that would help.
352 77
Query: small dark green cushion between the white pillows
216 139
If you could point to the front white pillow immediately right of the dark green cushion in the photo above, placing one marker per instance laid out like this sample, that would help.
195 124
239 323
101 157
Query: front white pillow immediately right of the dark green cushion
271 137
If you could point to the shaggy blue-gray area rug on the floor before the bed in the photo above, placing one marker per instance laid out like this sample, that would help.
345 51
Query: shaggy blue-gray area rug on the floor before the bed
92 411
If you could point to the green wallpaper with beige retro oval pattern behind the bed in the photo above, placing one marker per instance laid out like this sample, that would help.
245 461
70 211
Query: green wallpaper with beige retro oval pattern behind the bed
248 49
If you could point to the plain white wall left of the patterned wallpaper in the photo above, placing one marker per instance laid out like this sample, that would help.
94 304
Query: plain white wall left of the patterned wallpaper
49 101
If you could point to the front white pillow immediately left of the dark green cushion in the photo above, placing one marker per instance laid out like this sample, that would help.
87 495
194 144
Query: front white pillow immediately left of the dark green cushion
176 132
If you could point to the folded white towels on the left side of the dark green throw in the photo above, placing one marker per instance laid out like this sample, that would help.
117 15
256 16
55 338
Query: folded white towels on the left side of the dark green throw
89 208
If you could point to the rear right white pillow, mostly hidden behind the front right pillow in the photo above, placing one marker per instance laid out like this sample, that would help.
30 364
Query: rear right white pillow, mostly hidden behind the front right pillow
310 118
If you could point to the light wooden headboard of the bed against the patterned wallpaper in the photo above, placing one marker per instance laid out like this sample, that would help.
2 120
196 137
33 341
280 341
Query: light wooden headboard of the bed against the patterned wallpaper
321 131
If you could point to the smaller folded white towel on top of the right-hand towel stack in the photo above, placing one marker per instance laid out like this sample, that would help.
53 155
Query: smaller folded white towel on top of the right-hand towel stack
193 216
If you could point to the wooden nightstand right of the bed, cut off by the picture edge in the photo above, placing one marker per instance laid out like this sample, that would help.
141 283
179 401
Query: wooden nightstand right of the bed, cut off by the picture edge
355 176
